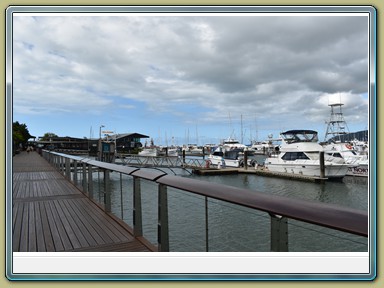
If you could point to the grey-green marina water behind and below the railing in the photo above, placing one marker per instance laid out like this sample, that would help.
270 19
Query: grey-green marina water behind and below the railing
232 228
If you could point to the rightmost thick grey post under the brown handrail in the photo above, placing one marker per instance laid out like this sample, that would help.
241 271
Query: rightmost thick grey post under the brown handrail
279 233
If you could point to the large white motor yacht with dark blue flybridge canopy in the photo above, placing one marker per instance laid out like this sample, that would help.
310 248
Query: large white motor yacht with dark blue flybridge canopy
299 153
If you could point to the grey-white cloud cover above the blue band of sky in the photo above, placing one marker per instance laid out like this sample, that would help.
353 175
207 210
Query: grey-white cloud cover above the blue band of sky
262 66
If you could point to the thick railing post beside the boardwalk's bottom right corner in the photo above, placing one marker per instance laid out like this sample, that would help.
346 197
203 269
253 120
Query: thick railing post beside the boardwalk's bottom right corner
162 226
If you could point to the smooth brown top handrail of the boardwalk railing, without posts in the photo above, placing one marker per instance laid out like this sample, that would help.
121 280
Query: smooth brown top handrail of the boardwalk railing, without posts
322 214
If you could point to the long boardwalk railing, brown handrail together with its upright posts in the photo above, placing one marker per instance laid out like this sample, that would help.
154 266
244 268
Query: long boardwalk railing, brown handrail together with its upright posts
80 171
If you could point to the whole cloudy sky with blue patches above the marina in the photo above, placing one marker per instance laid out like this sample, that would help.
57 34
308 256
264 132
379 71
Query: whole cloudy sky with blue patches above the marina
195 79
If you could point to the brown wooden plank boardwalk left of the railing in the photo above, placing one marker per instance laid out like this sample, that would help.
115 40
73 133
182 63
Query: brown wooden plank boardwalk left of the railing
50 214
